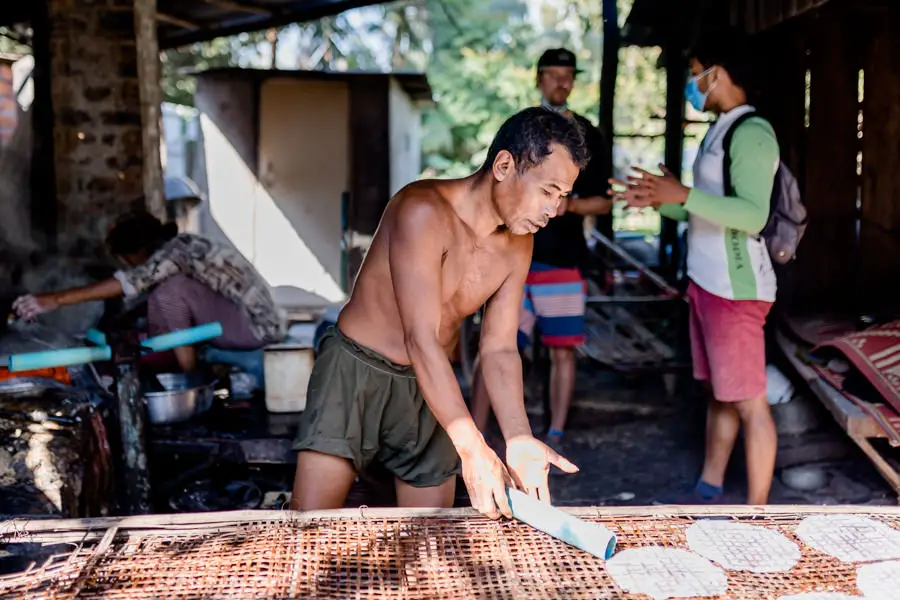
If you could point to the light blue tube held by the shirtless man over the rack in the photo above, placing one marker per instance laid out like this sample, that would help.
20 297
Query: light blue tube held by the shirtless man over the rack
584 535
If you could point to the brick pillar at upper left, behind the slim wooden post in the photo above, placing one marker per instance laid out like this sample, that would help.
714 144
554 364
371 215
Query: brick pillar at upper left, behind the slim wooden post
97 146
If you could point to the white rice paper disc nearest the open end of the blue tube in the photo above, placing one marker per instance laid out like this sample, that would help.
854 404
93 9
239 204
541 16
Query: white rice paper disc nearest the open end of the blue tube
666 573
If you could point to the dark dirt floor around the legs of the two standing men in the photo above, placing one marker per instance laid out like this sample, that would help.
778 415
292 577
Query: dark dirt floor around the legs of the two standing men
634 445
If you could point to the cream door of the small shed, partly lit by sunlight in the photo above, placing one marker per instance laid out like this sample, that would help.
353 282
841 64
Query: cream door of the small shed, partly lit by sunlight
303 162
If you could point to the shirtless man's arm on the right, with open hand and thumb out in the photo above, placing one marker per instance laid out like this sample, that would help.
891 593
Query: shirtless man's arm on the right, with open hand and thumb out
528 459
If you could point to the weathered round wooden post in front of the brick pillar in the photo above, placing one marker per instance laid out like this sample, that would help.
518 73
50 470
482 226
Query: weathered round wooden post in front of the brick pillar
151 102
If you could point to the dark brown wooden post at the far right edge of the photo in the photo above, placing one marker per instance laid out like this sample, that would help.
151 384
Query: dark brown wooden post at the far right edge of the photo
880 223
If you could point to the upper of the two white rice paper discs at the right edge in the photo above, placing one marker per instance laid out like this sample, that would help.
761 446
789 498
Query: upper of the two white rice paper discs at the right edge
850 538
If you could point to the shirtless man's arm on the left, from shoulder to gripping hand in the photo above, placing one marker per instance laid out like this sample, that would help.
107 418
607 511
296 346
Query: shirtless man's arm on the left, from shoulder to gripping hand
415 249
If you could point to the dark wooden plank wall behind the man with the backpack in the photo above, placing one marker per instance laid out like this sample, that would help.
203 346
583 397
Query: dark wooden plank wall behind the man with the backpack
850 258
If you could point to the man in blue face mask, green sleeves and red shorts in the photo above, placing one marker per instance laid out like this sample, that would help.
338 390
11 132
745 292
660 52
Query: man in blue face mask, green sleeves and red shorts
732 282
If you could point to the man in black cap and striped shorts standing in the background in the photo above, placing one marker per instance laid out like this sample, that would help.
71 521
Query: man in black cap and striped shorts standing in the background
555 290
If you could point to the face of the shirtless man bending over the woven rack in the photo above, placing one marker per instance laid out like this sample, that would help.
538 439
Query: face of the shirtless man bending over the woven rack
527 201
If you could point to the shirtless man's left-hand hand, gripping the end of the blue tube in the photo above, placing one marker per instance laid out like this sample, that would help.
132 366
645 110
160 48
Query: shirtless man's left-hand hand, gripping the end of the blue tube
486 480
